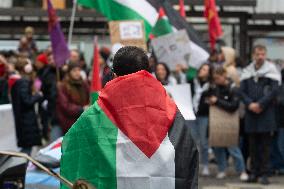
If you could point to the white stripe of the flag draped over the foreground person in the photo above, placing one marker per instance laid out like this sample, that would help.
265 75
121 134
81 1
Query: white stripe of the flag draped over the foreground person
136 171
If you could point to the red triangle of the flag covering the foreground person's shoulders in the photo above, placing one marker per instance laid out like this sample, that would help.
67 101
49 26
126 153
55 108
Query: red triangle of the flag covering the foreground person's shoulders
141 108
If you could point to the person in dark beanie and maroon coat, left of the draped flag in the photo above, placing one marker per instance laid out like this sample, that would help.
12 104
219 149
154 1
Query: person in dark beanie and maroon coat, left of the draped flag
72 97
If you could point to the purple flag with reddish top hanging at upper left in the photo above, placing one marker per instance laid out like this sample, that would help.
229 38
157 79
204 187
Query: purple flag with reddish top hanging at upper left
59 47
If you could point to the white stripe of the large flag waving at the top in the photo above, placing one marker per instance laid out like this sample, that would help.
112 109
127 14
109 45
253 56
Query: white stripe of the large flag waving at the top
143 8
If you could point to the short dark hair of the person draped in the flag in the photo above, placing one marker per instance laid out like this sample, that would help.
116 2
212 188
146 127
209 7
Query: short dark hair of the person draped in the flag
129 60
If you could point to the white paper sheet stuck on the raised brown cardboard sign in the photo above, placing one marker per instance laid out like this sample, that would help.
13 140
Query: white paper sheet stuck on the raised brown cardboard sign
131 30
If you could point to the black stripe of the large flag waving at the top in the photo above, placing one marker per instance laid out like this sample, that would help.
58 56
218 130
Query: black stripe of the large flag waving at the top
180 23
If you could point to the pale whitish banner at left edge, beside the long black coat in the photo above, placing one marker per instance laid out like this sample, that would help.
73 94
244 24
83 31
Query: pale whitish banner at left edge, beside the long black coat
7 128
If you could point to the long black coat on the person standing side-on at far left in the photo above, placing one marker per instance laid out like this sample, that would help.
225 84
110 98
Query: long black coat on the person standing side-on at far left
23 102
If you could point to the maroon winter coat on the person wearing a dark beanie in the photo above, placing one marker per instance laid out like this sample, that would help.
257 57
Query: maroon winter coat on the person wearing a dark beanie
69 106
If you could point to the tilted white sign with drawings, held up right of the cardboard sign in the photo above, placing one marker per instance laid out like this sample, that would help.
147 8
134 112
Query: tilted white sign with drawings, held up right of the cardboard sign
173 49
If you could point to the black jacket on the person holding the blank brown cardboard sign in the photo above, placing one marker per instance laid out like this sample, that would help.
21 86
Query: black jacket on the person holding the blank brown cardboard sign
228 98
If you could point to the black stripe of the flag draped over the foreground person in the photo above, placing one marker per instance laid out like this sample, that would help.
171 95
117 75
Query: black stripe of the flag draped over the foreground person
186 154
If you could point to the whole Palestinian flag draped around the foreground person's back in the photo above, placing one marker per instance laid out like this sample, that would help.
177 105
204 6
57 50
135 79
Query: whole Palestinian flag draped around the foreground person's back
133 137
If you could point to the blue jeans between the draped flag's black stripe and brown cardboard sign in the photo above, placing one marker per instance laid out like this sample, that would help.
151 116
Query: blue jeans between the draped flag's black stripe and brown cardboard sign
199 133
